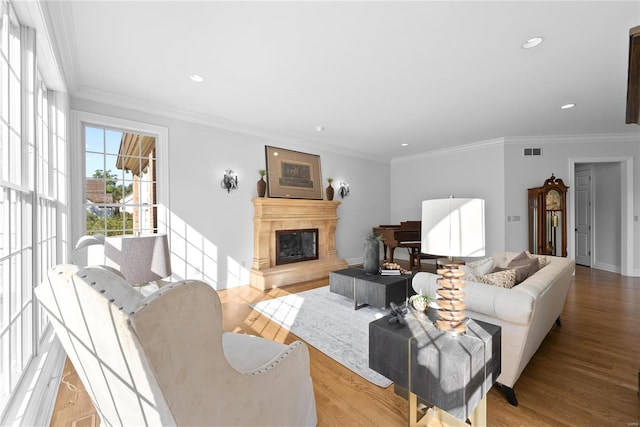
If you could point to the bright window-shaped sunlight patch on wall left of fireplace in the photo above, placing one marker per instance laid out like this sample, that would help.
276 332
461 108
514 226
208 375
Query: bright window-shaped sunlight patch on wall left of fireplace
193 256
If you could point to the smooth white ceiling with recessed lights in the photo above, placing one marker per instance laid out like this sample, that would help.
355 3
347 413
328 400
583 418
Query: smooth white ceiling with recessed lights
374 74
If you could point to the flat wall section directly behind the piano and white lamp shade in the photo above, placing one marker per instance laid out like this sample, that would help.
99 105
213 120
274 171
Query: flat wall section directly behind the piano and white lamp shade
476 170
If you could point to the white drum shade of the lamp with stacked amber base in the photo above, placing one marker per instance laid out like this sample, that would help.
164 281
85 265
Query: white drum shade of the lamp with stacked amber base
453 227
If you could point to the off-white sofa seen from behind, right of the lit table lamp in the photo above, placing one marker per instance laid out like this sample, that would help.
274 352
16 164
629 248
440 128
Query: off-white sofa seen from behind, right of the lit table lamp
525 312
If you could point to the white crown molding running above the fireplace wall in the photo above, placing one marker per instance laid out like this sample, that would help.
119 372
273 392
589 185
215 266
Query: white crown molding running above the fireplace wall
136 104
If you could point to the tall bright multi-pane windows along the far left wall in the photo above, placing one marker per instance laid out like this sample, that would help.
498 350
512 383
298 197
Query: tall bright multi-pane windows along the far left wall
30 147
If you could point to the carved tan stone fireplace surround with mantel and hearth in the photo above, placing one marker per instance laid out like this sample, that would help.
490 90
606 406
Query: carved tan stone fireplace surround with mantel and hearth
273 214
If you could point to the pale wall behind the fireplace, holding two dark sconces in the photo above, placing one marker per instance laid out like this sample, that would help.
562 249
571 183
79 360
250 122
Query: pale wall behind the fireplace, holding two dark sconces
213 229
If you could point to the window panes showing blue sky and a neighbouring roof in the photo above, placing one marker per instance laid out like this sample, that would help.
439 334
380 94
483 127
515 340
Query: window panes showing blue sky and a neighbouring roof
120 182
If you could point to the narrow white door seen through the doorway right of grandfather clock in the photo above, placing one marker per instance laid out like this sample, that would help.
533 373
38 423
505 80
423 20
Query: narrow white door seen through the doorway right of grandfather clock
583 216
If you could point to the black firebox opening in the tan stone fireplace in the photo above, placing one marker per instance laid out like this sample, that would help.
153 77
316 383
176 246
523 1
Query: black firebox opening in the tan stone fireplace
296 245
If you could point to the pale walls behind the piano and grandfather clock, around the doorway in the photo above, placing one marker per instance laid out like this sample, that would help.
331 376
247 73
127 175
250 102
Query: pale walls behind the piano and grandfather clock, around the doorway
499 172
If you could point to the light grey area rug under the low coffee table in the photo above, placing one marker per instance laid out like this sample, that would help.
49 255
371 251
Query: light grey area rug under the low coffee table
328 322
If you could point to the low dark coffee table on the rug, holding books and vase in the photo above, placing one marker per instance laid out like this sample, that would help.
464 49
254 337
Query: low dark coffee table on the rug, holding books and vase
371 289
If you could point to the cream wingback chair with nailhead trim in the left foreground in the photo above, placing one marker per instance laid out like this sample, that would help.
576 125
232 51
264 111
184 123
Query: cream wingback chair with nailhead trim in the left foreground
165 360
